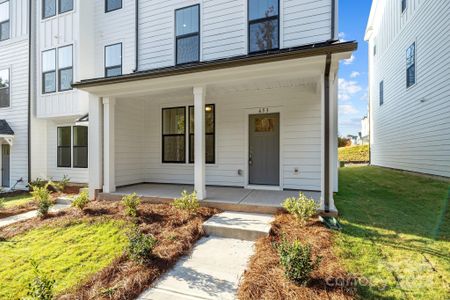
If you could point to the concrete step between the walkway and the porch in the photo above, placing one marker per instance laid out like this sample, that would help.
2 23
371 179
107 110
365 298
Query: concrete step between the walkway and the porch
237 225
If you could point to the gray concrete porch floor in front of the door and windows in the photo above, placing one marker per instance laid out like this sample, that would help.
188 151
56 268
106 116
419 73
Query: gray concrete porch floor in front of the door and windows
215 194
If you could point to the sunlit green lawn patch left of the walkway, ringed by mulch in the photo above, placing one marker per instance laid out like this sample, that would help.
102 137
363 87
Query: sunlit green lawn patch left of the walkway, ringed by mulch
68 254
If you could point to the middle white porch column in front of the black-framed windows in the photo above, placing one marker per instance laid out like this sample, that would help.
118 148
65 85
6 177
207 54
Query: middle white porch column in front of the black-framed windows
199 142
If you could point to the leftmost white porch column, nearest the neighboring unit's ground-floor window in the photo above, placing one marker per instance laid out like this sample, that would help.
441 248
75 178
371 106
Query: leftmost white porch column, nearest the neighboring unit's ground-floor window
95 148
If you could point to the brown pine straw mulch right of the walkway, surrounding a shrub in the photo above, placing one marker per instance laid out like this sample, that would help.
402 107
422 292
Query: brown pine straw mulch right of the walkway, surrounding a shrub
265 279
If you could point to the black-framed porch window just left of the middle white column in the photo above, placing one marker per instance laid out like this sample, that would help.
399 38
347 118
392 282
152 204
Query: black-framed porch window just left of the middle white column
174 135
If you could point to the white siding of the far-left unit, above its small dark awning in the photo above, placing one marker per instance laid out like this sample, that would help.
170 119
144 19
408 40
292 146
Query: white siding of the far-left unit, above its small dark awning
14 56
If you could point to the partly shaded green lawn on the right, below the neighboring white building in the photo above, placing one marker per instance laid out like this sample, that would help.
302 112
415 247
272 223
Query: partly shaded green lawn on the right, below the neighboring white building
396 233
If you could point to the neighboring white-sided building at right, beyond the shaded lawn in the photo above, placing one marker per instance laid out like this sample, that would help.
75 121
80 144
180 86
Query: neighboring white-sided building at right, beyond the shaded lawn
409 84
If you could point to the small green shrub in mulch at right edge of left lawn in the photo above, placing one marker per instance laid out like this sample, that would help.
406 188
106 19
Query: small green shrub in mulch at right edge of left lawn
140 246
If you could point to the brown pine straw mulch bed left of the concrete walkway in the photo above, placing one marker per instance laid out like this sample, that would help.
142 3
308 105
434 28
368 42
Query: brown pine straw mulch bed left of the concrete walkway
175 231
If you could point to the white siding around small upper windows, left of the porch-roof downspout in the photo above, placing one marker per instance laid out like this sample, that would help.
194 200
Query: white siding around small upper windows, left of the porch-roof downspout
115 27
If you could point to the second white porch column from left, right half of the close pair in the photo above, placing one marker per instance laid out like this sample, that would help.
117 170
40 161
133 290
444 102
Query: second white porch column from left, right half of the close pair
109 173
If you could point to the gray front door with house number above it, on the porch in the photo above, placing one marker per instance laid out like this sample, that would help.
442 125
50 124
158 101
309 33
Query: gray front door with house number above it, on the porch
264 149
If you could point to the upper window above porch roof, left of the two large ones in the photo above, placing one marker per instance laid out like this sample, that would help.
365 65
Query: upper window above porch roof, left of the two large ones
187 34
